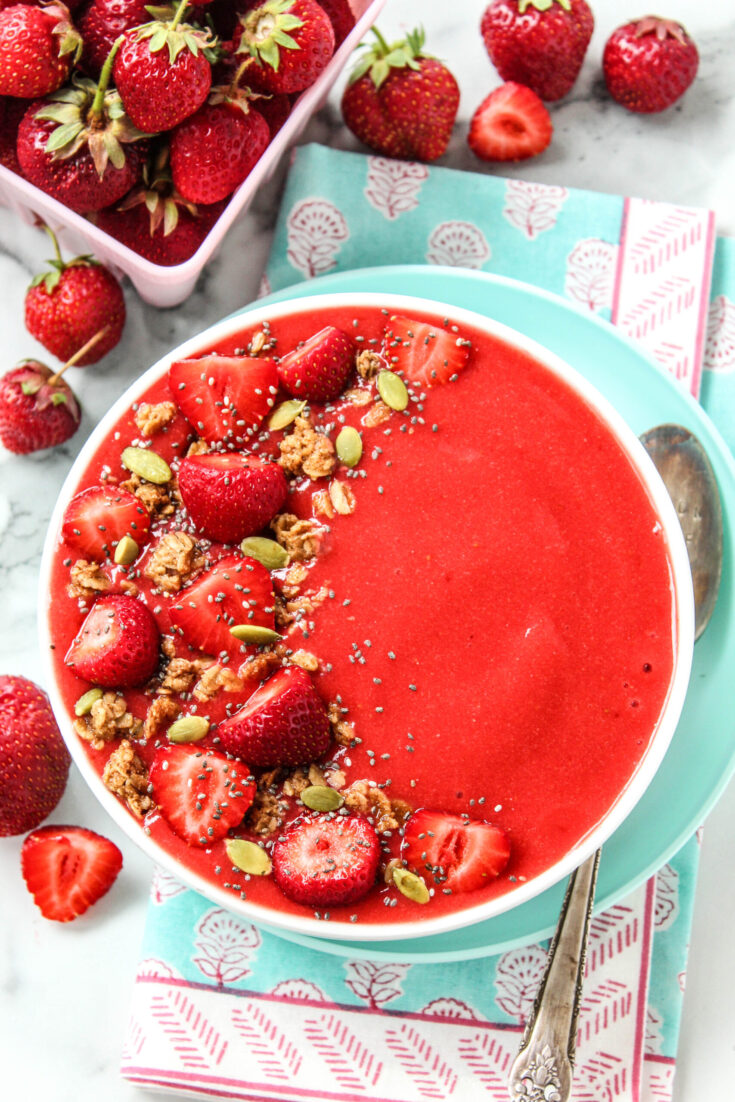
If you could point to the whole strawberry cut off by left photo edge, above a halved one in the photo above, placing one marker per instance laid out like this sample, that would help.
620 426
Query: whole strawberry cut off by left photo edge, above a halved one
35 762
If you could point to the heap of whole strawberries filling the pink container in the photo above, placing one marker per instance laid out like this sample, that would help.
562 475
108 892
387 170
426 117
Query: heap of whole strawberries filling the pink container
148 123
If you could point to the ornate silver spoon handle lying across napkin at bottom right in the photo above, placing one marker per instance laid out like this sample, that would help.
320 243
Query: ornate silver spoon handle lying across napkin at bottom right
543 1071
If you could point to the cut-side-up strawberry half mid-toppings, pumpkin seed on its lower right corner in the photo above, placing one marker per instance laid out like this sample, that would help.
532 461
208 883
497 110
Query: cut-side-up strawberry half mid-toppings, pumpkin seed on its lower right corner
237 590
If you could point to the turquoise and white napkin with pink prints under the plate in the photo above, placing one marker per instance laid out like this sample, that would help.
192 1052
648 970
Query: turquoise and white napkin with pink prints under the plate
225 1010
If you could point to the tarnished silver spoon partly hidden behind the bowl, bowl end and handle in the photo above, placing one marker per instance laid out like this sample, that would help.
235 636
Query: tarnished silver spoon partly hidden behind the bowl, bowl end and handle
544 1068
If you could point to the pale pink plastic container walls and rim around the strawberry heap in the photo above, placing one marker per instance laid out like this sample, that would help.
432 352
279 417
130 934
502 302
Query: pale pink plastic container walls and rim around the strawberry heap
158 285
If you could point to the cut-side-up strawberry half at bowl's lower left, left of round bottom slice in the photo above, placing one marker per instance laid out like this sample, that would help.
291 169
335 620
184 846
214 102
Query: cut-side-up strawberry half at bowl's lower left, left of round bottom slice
201 794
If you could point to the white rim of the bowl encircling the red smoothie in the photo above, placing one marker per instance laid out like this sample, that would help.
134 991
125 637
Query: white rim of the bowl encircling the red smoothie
683 623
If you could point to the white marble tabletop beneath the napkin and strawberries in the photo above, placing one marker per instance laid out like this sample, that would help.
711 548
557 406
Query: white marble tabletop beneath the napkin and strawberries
64 991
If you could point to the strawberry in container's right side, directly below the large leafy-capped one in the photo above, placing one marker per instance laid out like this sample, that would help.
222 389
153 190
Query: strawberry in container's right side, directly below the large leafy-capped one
214 150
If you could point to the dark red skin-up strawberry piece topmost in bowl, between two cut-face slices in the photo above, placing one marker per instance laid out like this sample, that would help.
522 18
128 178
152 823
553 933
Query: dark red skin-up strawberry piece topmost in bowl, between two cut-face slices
319 370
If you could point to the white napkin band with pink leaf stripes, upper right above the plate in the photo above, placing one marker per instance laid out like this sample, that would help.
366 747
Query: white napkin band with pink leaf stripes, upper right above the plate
664 283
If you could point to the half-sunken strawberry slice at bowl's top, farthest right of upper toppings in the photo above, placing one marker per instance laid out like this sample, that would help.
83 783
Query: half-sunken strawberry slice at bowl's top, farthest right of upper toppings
427 355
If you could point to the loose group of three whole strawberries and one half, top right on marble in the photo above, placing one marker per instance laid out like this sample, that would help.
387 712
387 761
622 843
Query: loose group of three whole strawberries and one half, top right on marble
403 103
